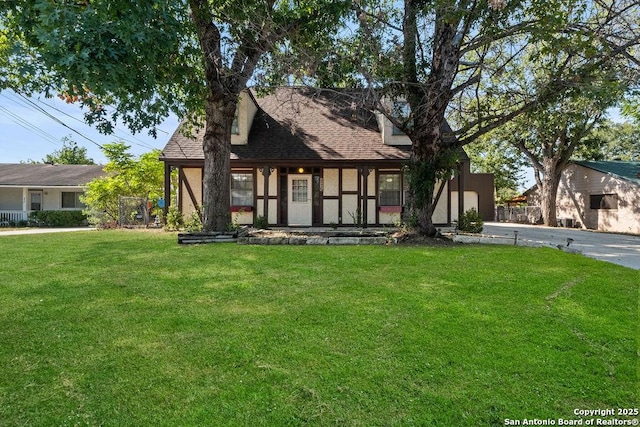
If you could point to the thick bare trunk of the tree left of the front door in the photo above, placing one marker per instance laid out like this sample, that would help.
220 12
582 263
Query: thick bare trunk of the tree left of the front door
216 176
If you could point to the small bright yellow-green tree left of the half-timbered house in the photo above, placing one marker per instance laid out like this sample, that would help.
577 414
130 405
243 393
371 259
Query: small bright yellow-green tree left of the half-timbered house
127 176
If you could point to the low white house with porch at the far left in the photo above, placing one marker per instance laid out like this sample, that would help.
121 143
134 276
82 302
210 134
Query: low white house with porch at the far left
33 187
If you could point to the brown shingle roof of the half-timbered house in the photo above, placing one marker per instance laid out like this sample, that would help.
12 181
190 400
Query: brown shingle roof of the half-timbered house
298 124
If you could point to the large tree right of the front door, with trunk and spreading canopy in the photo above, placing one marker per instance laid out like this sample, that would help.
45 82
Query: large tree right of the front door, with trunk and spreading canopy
423 61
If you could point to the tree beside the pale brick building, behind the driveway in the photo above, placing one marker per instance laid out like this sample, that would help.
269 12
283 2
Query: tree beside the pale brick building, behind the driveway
550 134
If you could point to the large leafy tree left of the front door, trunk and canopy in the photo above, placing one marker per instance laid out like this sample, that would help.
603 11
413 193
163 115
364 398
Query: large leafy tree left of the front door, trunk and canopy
149 58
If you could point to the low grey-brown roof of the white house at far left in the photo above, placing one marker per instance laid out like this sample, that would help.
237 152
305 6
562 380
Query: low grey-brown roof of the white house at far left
45 175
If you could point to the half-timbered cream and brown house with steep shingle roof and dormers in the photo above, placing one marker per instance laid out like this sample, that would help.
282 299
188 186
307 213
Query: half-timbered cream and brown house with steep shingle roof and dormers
303 157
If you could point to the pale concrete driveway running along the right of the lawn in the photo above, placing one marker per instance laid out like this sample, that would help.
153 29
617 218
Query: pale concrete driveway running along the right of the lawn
615 248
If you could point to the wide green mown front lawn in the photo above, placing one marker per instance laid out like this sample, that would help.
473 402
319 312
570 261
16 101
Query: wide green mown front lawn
127 328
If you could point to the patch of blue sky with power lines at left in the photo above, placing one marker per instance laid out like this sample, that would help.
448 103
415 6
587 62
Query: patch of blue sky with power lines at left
28 132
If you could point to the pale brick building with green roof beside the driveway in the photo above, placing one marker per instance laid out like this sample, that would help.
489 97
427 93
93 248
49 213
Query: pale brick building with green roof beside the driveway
599 195
